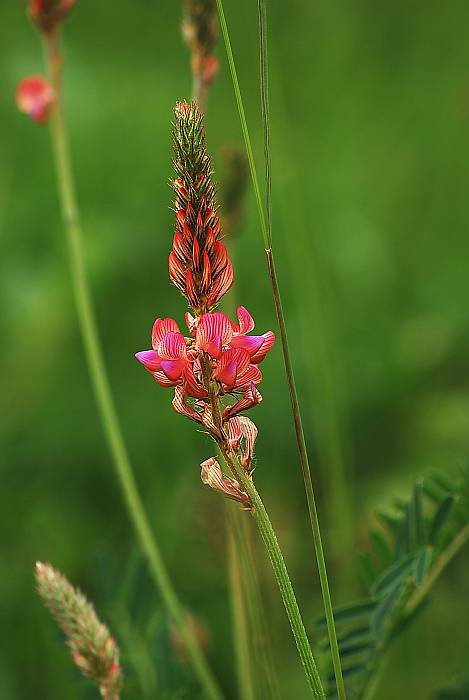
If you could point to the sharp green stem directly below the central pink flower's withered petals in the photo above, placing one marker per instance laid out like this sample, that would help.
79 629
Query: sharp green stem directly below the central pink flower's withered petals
281 574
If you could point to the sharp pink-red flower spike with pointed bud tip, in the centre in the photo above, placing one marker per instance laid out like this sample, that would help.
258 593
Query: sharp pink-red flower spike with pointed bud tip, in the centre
214 368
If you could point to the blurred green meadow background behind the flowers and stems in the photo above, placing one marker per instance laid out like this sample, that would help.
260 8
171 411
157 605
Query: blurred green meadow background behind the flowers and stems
370 112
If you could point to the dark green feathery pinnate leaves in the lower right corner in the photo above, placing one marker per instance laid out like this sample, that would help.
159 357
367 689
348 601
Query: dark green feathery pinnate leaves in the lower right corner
409 548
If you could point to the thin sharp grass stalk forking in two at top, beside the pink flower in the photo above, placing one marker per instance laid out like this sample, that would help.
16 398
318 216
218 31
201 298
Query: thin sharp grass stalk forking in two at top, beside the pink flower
266 230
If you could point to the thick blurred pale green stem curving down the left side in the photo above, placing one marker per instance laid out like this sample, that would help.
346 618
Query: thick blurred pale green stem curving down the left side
100 381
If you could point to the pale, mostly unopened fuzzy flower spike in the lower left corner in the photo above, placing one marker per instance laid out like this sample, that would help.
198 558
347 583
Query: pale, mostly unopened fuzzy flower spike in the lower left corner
93 649
